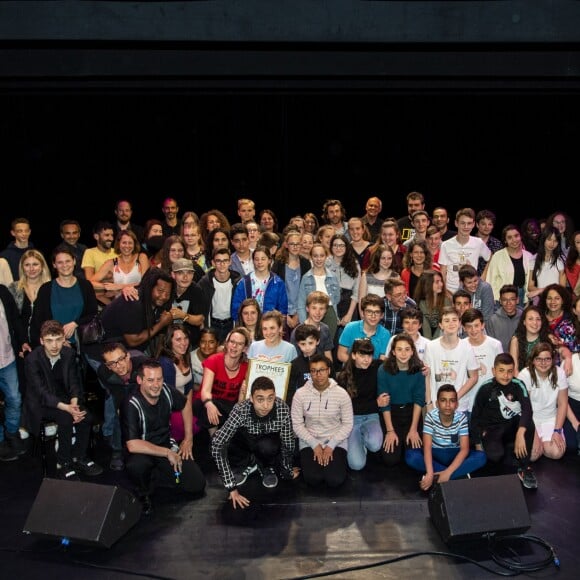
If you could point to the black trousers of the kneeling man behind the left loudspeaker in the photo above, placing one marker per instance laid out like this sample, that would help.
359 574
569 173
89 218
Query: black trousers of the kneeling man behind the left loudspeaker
148 472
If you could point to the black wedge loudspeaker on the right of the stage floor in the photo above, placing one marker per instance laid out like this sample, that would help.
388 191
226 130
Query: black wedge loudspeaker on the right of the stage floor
467 509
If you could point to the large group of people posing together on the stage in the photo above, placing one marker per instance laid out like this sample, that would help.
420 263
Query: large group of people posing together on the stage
445 350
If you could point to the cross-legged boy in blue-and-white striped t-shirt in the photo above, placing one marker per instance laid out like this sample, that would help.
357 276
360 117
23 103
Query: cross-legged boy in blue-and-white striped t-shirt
445 453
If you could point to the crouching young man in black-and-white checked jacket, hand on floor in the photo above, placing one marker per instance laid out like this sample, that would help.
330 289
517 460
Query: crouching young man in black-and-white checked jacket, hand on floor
261 430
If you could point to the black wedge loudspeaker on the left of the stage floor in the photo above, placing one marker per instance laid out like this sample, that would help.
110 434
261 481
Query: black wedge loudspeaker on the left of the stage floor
88 513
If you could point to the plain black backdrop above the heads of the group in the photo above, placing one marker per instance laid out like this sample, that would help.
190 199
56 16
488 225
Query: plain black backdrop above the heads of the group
72 156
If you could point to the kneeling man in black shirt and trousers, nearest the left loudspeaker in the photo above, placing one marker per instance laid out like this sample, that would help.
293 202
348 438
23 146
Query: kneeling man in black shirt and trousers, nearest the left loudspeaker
145 422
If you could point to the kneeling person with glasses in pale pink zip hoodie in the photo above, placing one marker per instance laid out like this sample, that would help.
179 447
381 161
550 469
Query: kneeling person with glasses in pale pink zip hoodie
322 416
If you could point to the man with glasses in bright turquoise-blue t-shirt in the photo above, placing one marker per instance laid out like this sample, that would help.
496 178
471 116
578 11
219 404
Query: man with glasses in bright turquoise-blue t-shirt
369 327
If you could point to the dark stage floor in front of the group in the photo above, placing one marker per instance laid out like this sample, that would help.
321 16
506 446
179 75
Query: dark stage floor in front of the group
376 526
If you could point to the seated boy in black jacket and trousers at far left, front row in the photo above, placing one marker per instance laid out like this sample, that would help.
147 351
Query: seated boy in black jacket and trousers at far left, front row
54 391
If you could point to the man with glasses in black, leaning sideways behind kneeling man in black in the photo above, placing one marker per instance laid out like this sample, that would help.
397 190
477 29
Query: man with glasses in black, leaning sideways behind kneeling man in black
118 376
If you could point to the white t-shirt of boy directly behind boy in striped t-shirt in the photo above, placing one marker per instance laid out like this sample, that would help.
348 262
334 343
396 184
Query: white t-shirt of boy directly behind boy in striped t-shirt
450 366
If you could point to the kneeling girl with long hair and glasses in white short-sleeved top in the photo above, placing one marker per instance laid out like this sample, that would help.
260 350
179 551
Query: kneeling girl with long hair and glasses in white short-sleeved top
548 391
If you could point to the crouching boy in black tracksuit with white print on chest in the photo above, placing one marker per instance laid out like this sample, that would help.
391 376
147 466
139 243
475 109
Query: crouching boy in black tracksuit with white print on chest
502 415
